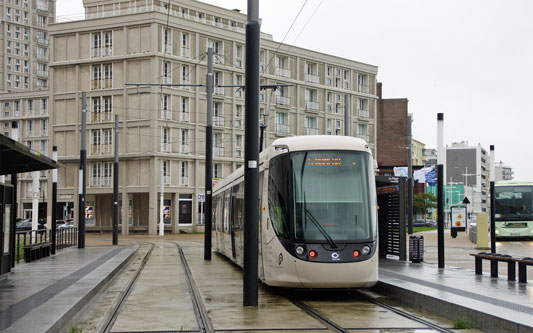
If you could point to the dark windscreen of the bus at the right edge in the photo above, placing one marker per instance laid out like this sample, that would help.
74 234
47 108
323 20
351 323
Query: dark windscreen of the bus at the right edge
513 202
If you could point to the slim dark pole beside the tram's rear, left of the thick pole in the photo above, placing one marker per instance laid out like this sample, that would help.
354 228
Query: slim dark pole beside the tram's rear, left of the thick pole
209 81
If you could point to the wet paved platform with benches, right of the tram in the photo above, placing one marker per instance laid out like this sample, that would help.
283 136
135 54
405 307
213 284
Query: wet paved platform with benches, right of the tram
493 304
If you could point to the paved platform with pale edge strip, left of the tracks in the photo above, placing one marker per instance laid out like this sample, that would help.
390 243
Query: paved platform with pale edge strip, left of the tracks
43 296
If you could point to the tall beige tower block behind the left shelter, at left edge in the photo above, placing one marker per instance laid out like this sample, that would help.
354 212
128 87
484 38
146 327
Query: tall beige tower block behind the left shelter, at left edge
24 96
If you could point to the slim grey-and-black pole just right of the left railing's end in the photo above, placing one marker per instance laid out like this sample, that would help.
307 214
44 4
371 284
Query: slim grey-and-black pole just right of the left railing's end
83 173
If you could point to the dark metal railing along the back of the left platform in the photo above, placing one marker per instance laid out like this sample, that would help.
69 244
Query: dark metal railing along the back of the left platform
65 237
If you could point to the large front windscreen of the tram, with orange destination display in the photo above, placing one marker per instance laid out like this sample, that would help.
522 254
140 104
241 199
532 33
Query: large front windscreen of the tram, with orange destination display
331 196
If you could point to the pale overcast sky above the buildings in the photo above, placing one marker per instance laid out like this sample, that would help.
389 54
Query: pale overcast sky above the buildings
470 59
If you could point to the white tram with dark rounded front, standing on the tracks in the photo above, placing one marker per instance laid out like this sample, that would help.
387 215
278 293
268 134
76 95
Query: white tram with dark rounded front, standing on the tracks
318 214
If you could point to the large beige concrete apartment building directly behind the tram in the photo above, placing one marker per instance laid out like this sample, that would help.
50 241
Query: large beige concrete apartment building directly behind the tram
162 129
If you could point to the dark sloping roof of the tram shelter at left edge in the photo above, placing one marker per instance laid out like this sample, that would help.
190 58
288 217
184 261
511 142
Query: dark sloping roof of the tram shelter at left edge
17 158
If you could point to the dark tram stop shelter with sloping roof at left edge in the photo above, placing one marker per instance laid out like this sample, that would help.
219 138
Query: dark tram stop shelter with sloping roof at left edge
15 158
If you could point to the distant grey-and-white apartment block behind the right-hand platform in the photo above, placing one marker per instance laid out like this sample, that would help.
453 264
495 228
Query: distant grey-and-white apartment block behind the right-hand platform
469 165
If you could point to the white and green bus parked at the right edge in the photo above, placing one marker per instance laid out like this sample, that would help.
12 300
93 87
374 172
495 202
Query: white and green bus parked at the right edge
513 209
